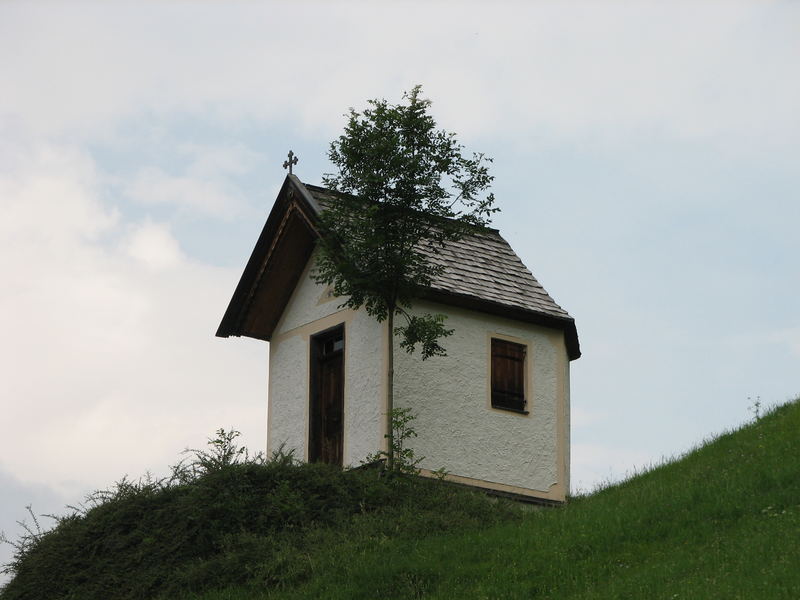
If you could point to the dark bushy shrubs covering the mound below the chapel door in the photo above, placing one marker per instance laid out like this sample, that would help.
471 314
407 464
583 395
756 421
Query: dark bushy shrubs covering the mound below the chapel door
224 518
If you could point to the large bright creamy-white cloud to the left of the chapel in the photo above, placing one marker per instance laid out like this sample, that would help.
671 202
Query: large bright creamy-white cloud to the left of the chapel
111 362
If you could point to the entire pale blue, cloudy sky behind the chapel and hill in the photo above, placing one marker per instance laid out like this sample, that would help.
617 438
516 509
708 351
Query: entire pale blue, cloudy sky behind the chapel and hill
646 166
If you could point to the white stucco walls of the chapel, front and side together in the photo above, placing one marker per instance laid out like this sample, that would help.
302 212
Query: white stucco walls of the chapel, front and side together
458 430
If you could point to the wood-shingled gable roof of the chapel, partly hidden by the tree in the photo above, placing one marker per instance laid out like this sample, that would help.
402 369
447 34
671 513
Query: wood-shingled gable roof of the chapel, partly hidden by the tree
481 272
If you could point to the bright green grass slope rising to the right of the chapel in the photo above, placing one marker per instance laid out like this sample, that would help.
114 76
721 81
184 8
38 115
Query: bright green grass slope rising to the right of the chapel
721 522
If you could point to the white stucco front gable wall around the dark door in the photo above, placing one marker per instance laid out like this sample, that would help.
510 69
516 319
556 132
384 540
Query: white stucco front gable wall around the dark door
310 311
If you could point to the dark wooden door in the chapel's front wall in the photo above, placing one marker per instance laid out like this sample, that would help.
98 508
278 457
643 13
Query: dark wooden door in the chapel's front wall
326 435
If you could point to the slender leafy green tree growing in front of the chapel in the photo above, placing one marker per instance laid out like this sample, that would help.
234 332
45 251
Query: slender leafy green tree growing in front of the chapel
405 190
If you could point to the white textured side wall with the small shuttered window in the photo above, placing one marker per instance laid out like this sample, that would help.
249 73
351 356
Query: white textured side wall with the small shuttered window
457 428
